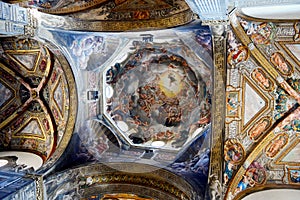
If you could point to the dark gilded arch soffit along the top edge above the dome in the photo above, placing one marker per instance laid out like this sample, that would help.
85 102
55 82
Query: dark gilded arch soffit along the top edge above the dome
117 15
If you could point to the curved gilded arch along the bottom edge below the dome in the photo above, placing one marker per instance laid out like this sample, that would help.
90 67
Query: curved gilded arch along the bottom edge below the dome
100 181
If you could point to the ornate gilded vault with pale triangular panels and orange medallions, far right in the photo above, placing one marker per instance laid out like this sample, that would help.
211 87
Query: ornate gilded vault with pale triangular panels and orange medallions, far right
261 147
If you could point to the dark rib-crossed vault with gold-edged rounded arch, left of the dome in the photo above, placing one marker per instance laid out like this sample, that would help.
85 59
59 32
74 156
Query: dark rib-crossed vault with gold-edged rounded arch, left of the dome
38 102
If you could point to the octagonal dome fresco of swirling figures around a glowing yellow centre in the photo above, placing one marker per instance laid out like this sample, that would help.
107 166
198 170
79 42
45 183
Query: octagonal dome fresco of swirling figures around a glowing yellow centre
156 99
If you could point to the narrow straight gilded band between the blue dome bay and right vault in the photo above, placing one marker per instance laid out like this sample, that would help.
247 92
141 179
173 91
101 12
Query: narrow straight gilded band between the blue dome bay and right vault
218 108
